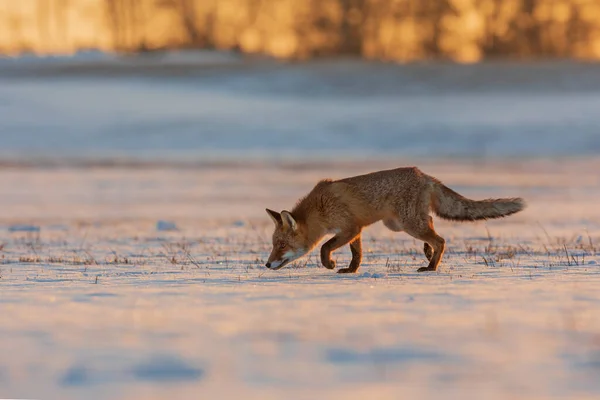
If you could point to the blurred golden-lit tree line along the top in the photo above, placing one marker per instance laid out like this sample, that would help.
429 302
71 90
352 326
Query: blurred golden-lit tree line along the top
463 30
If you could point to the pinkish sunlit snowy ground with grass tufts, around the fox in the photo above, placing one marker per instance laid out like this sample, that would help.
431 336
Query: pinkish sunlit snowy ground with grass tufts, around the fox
99 303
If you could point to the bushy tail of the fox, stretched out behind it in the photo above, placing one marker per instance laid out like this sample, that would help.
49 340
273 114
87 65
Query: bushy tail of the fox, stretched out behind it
448 204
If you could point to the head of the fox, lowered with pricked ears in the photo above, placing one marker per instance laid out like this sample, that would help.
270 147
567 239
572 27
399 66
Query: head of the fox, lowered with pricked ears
289 242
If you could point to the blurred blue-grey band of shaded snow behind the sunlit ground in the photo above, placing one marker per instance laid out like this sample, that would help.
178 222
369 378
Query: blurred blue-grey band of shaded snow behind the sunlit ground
268 110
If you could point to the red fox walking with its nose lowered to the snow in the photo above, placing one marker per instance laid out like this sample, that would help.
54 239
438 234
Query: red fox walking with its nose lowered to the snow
402 198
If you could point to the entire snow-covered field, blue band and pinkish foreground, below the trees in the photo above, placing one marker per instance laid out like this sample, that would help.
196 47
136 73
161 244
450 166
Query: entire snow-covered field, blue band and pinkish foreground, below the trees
133 234
